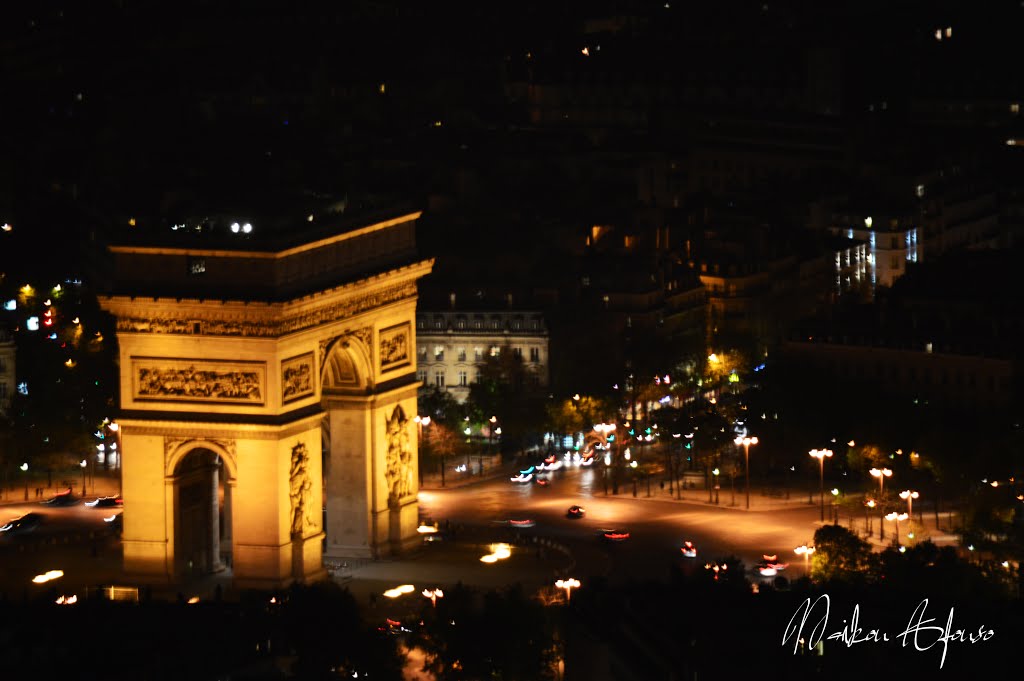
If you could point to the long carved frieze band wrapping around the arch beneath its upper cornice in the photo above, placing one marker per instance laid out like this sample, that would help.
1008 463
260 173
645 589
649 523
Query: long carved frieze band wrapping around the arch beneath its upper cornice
274 328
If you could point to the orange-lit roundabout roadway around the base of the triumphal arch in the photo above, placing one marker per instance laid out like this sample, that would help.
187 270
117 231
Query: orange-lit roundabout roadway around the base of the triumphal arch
77 541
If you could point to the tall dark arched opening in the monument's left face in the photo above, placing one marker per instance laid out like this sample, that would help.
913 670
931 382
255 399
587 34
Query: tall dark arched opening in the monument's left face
203 490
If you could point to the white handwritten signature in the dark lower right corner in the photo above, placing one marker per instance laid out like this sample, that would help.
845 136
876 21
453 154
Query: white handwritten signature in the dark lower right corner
920 631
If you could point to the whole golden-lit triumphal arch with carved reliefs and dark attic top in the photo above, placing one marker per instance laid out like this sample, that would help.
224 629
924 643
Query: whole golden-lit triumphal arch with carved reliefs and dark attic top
267 388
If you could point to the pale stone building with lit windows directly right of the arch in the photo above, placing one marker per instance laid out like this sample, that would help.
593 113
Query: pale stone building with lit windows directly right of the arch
452 346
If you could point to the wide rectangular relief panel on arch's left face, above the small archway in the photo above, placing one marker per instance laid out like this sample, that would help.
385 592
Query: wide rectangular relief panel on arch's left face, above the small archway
198 381
